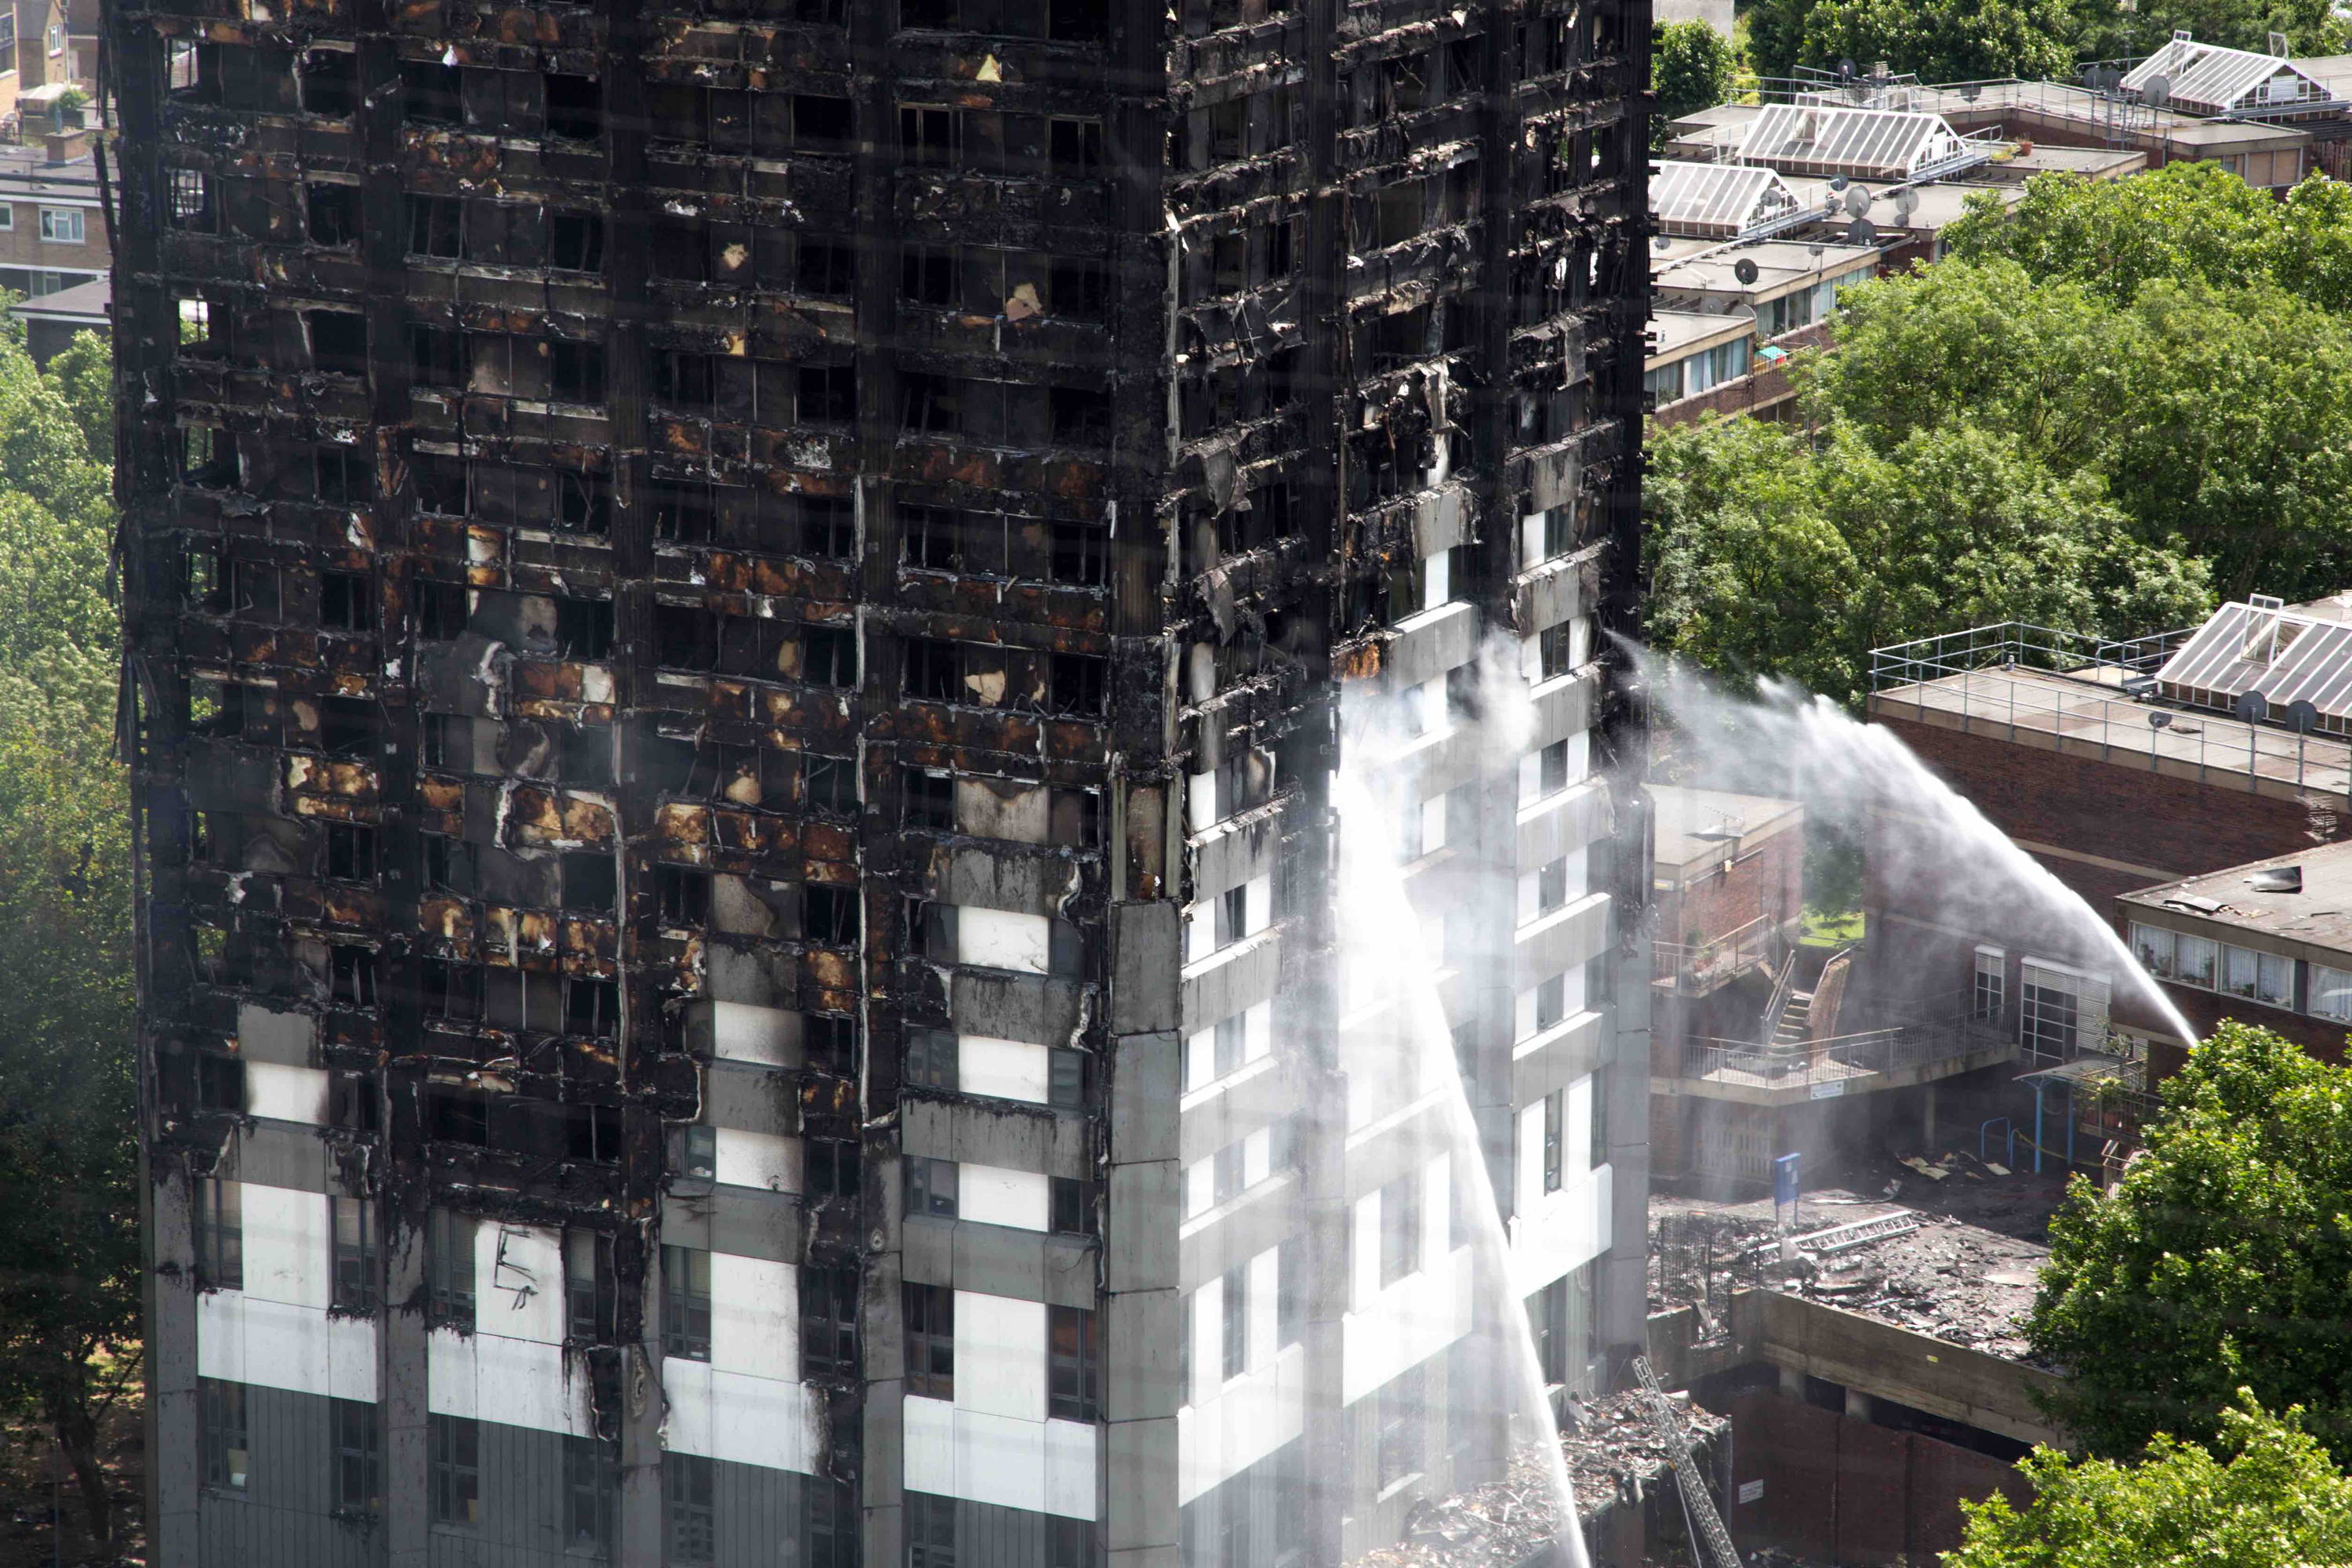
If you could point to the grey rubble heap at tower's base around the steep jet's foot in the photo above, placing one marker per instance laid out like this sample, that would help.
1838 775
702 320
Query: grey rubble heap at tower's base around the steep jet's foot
1615 1459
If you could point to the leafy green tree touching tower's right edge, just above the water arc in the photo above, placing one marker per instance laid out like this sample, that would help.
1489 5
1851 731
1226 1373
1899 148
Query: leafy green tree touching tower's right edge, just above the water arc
1772 551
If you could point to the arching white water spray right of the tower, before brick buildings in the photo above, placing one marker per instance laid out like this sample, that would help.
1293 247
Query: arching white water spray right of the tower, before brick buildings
1930 847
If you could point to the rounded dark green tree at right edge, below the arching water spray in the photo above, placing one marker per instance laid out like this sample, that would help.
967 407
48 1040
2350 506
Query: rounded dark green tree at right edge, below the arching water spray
2219 1264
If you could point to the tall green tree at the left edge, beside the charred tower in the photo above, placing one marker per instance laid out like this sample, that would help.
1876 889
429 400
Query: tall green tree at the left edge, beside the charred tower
69 1200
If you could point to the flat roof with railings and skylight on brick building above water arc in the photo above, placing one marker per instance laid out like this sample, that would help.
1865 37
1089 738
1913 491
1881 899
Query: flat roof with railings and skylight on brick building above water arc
2090 716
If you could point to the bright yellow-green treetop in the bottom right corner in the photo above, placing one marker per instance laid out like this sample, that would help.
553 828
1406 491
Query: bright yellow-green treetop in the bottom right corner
2271 1499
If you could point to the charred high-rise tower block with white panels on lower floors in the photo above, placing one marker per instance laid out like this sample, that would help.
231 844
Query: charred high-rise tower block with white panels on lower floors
735 643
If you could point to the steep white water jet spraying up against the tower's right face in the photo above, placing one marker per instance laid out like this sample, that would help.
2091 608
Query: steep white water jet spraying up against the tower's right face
1391 1005
